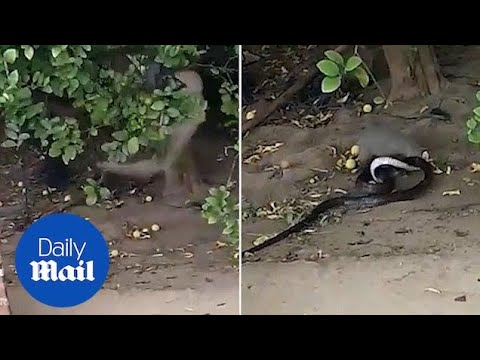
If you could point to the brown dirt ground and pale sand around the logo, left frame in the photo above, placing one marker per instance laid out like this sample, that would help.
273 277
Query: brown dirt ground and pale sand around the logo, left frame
181 269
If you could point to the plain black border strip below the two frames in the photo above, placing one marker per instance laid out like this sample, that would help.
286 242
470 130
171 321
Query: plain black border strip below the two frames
286 335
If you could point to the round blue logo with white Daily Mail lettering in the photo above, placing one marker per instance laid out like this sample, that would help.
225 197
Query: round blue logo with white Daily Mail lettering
62 260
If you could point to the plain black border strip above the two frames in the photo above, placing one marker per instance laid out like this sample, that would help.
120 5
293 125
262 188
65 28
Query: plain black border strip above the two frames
238 23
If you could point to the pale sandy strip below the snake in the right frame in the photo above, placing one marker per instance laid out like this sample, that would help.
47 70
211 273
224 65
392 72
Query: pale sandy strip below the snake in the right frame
398 285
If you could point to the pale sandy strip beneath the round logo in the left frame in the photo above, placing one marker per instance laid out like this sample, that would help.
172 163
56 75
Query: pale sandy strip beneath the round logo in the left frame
219 296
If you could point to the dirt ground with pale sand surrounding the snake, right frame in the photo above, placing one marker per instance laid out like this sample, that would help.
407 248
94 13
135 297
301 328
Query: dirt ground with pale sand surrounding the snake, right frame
418 257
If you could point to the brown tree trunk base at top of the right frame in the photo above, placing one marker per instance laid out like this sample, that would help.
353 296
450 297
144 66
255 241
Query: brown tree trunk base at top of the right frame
414 71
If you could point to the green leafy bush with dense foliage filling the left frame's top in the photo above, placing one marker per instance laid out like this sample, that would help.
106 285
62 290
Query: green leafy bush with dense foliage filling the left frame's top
104 98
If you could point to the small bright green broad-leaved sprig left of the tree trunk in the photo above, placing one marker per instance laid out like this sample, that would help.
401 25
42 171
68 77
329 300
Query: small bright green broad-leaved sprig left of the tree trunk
336 69
